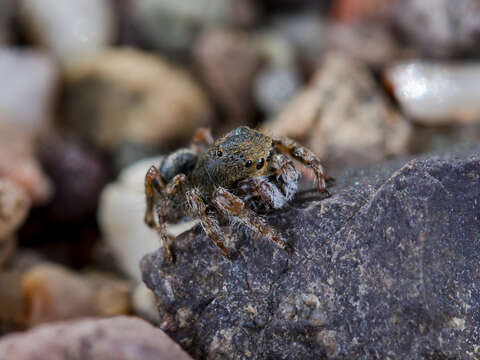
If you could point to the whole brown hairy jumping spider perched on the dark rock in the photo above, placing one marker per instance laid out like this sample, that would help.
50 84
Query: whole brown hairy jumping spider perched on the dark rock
241 172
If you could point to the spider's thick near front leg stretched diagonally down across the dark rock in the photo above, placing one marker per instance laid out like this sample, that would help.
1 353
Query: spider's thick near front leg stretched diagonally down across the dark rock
232 206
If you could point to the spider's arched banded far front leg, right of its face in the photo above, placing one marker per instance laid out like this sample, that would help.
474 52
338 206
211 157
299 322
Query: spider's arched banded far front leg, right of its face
305 156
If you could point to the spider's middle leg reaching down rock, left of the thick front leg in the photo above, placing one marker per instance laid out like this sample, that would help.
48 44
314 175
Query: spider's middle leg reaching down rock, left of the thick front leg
209 224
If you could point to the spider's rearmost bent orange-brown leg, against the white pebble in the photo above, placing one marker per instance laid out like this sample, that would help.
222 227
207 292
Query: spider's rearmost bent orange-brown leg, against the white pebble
154 183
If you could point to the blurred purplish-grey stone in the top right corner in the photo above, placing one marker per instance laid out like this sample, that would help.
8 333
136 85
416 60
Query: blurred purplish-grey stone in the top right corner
440 28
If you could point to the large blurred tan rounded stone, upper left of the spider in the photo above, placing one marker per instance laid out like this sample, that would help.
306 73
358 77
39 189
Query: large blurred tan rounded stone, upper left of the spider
126 96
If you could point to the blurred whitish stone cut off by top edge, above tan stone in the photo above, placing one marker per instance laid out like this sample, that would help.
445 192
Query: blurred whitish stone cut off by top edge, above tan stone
72 30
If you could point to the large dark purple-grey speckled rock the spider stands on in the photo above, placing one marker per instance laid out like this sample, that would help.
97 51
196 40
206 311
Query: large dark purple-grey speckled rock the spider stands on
387 267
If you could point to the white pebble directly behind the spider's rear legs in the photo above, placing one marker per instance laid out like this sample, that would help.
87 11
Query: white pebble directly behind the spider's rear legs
120 215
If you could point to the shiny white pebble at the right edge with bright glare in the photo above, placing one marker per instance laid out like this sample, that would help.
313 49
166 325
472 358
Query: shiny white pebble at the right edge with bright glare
434 93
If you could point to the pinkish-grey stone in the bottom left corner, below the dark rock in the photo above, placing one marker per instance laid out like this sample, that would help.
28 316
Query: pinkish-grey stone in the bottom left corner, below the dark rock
119 338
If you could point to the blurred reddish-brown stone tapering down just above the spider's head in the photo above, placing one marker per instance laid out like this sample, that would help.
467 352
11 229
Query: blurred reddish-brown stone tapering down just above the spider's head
228 62
